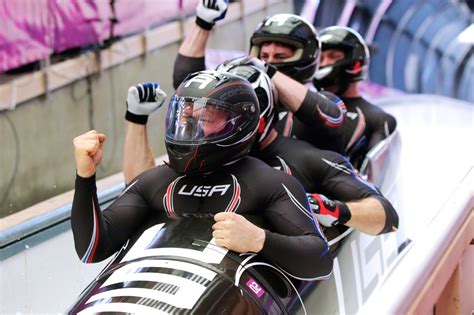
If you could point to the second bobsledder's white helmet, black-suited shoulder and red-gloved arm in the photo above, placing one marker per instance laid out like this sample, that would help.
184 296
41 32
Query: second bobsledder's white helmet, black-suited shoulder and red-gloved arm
323 174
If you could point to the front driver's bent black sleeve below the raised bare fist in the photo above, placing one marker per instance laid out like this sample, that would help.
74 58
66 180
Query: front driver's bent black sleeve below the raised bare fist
95 237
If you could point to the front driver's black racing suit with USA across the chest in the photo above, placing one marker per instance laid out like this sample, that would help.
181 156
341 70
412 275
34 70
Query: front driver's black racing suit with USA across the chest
248 187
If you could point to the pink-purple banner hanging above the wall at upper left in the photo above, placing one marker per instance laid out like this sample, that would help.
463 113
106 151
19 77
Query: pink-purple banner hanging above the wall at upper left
30 30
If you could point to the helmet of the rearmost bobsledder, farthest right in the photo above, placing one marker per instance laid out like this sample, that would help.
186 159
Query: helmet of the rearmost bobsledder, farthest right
352 68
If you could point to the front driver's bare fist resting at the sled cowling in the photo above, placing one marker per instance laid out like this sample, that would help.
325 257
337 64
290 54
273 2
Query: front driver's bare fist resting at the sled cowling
236 233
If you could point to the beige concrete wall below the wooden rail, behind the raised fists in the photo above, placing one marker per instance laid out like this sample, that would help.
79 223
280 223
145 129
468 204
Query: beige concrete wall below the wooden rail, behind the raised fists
36 160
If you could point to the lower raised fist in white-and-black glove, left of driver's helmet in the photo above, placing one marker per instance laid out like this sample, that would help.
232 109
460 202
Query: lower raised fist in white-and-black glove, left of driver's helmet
142 100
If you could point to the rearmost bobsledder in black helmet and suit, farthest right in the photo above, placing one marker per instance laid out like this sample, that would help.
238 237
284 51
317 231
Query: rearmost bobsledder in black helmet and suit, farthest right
345 60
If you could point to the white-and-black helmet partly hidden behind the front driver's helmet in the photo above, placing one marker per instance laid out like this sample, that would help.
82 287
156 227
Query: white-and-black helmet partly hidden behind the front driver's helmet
262 84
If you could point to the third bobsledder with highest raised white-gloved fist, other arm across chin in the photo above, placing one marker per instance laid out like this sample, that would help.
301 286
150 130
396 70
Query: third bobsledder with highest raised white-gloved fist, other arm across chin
318 117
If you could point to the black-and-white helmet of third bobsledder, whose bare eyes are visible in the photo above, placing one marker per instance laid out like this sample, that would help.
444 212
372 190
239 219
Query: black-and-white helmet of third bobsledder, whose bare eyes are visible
296 32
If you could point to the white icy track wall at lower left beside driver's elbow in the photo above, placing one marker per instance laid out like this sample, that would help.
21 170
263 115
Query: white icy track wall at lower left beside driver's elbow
42 274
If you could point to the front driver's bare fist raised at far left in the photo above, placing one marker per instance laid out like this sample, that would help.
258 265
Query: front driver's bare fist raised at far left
88 151
